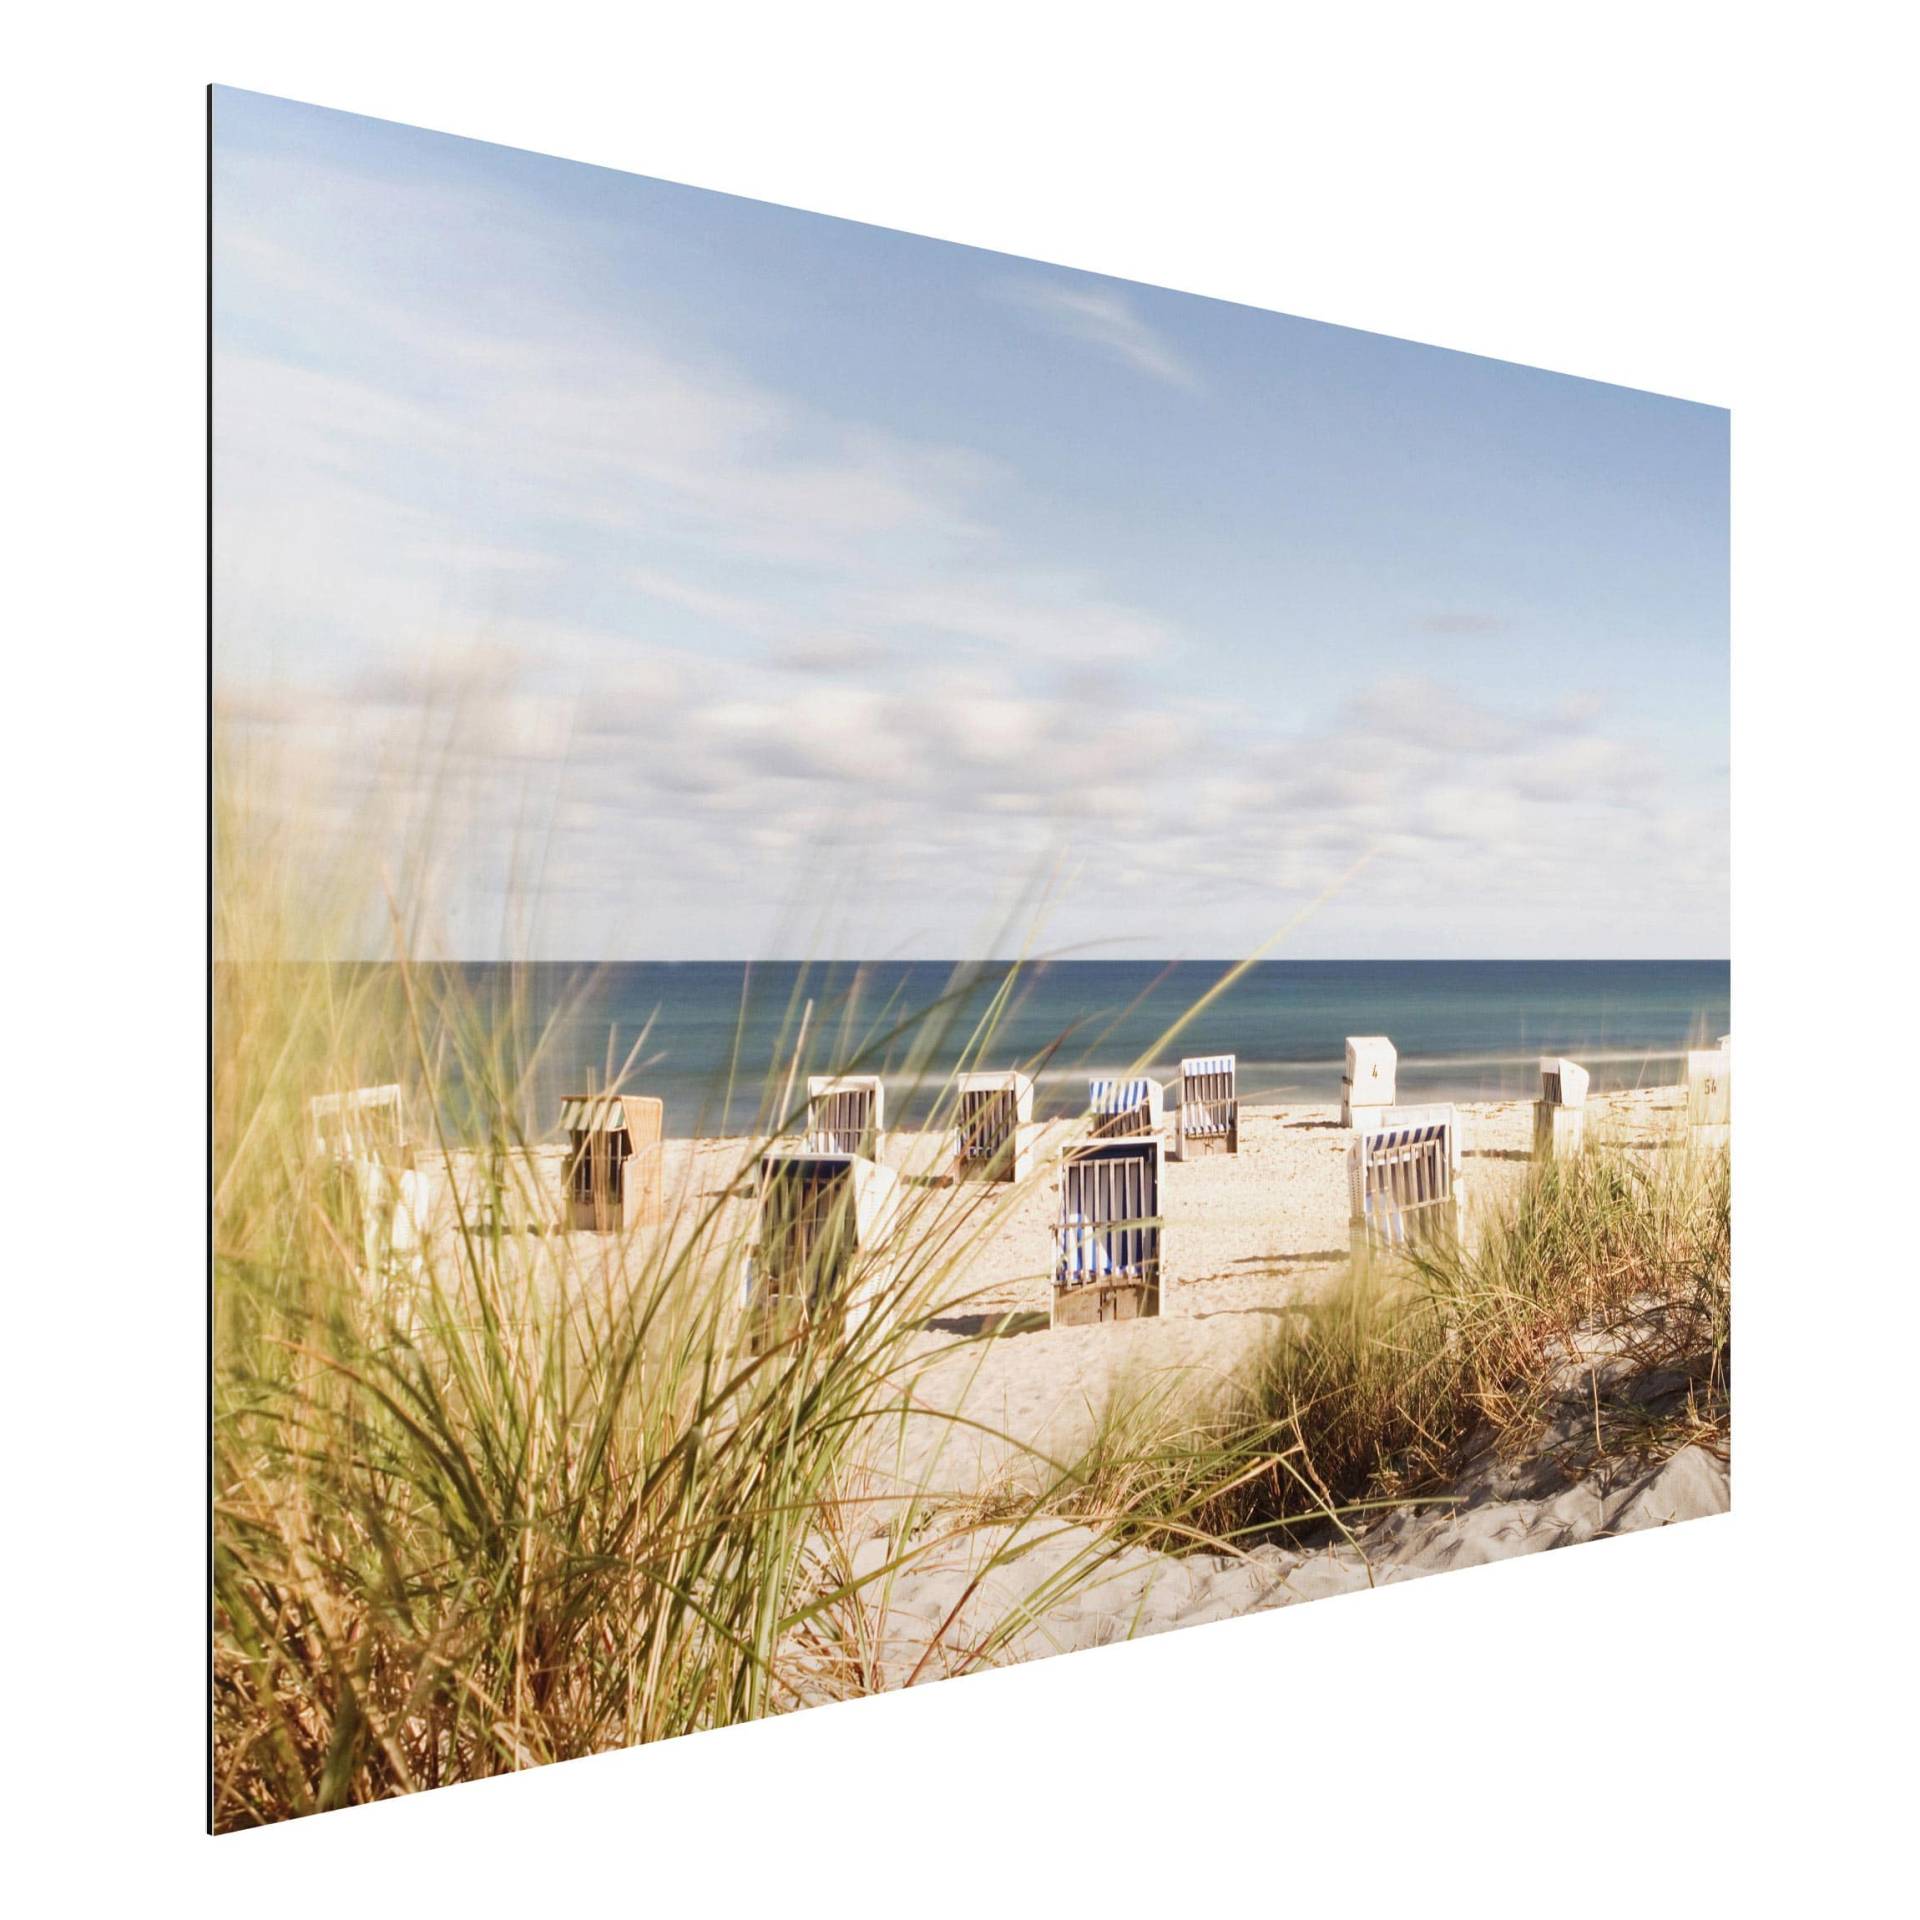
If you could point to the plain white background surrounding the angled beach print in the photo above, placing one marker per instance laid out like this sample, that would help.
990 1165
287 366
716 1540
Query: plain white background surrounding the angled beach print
1706 201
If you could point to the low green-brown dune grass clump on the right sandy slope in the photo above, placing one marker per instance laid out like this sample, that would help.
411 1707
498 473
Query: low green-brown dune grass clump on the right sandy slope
1606 1278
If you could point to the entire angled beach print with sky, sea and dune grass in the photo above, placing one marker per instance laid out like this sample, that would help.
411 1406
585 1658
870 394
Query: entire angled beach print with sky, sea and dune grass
919 961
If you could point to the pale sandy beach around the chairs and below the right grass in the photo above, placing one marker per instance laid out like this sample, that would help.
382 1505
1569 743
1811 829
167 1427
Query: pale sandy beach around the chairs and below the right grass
1247 1239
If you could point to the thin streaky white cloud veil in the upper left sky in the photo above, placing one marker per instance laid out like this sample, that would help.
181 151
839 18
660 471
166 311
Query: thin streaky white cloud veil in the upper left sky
542 460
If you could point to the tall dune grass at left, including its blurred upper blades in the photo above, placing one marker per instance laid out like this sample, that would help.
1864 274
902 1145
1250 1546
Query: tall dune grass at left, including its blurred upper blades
533 1495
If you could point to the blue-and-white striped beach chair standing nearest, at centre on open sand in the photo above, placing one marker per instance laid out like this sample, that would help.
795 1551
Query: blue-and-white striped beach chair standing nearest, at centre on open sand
1107 1234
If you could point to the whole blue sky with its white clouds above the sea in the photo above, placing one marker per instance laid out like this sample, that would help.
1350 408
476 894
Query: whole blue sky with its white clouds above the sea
765 583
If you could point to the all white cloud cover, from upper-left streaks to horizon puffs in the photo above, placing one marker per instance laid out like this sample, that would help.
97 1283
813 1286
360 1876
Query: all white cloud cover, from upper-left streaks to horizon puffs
709 650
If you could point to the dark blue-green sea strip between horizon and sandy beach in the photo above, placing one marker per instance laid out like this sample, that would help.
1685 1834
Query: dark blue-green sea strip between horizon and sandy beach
727 1044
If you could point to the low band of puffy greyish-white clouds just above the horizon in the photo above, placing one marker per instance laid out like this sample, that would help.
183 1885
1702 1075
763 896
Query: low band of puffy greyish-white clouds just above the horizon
711 798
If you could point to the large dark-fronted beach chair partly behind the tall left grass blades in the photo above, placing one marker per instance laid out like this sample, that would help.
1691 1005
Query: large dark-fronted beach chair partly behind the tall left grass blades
823 1239
